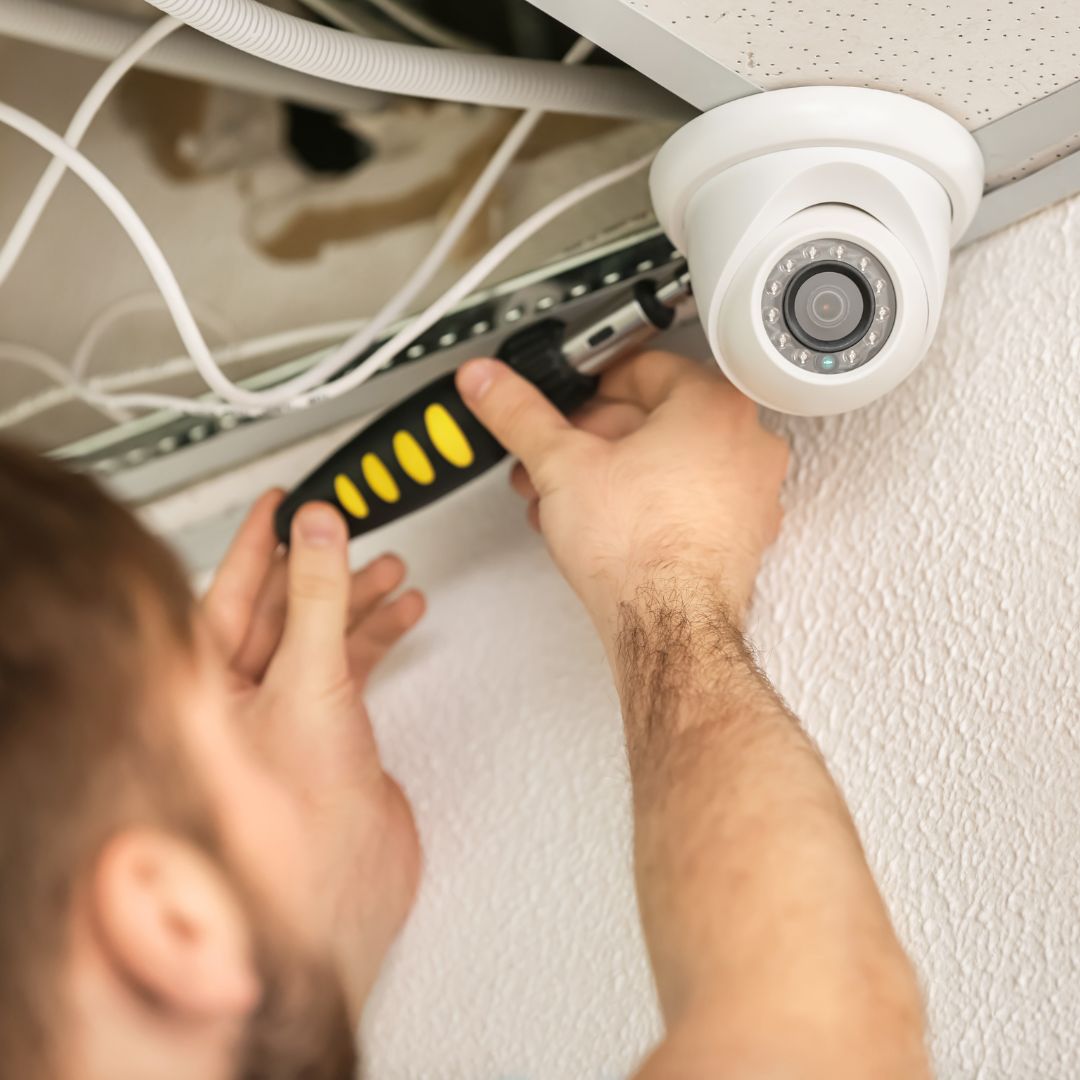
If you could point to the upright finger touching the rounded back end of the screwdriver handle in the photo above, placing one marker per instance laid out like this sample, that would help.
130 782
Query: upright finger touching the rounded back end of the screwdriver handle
314 645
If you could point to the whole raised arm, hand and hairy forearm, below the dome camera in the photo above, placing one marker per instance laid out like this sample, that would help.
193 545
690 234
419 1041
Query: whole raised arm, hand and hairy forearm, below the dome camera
773 953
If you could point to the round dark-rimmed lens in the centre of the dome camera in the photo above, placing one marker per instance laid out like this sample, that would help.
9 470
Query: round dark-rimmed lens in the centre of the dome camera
829 306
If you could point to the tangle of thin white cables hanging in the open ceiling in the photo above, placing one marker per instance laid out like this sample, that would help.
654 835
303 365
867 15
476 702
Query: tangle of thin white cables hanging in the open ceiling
322 381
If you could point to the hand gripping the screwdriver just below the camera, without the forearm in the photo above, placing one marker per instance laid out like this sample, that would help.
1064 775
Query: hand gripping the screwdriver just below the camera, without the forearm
667 472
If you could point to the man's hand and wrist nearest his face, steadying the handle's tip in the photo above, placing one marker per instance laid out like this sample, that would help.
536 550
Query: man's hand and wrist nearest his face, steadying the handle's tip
302 637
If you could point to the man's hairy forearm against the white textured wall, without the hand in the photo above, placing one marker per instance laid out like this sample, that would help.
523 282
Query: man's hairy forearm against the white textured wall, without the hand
771 944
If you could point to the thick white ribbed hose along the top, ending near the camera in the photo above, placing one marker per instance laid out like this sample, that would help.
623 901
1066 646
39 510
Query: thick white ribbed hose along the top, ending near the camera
334 55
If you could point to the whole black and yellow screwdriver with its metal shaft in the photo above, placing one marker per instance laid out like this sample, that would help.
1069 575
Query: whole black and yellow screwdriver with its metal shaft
430 445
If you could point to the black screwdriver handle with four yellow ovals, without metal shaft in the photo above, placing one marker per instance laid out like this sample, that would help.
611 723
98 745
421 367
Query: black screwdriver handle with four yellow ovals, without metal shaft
430 445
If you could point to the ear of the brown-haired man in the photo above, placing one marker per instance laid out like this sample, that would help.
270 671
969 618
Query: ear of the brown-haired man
173 925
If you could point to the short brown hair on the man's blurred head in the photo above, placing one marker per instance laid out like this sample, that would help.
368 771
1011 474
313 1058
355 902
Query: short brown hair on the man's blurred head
88 598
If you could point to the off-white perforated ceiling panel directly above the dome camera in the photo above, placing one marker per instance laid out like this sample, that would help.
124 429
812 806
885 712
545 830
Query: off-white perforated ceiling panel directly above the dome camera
979 60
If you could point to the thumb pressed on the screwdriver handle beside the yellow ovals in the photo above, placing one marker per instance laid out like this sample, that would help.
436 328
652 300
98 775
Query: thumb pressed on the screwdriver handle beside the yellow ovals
514 410
